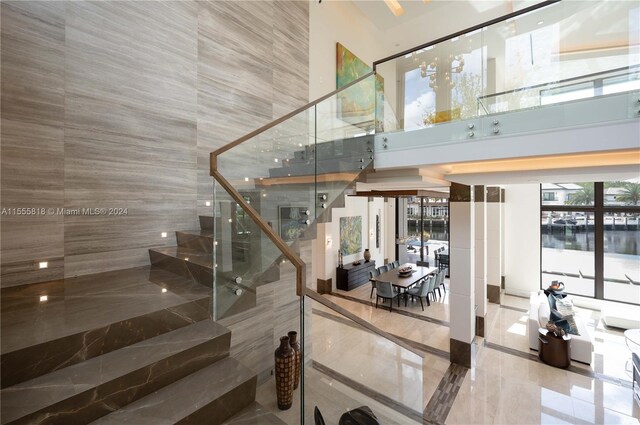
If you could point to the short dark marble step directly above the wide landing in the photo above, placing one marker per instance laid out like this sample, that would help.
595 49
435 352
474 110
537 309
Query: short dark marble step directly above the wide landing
186 262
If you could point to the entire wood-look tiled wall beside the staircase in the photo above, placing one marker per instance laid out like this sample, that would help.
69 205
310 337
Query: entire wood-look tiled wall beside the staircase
118 104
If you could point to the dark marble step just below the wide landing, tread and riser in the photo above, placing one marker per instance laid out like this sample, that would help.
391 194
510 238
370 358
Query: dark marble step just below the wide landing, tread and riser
96 387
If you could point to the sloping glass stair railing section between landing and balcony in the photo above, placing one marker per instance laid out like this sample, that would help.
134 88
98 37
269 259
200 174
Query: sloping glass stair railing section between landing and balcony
274 185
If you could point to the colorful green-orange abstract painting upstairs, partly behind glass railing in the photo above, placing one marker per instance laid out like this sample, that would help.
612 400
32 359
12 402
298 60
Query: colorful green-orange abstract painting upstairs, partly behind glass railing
361 103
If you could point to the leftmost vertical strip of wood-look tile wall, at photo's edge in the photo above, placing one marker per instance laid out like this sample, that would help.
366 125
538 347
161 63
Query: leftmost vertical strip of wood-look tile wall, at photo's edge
32 139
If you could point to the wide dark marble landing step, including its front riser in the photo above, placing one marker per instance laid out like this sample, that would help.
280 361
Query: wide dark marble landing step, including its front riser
52 325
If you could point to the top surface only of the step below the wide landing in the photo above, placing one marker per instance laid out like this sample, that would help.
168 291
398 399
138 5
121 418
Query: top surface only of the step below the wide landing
38 393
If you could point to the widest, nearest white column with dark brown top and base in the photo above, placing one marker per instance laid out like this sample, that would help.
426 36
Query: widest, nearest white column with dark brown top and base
461 255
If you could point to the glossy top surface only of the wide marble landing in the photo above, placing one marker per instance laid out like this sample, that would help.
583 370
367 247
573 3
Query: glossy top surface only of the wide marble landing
82 304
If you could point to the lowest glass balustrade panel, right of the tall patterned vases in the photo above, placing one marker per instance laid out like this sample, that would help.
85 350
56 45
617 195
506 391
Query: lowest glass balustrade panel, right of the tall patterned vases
348 367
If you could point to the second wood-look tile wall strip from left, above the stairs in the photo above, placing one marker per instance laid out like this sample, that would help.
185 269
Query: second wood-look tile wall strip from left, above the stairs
131 129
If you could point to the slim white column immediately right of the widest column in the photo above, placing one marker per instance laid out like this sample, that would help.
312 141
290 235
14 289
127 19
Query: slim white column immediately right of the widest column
480 208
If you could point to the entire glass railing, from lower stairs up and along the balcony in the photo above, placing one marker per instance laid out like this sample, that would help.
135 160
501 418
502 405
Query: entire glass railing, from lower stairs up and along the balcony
275 185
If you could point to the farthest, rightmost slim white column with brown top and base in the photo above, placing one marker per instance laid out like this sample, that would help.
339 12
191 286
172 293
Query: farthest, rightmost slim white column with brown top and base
494 245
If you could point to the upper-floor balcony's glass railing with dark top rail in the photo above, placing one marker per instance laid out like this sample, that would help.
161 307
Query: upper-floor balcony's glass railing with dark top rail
553 67
